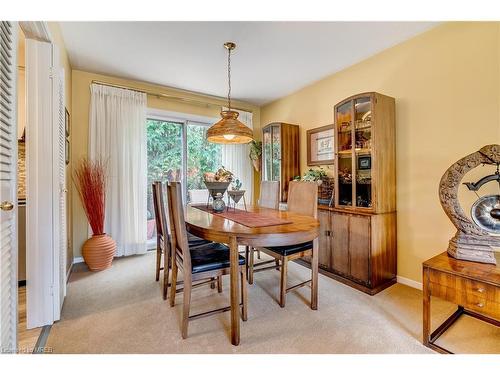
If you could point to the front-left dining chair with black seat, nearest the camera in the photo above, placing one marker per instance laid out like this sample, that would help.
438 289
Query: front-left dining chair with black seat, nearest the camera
197 263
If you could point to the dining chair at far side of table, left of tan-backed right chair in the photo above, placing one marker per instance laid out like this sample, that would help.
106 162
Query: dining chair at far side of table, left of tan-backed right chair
269 198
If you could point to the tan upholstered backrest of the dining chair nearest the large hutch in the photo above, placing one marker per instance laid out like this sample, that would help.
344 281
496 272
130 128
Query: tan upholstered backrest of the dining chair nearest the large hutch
303 198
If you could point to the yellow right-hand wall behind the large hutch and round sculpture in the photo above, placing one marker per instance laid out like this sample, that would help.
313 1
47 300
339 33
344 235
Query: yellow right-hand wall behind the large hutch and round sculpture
447 88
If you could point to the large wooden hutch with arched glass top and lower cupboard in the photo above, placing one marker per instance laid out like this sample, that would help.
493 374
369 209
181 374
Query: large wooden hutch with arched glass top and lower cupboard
357 243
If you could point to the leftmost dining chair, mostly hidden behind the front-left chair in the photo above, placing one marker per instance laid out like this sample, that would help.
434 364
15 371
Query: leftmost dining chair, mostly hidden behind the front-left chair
163 243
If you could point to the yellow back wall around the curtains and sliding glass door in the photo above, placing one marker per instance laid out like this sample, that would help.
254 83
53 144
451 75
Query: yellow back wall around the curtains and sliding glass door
81 93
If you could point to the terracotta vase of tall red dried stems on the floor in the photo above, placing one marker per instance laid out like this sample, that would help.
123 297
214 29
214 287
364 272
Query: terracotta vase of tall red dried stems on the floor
90 181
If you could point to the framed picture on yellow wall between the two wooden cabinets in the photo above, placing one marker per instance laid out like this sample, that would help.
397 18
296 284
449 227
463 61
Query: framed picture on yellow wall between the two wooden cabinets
320 146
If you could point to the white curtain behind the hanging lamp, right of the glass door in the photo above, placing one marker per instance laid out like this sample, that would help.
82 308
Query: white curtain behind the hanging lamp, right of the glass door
235 158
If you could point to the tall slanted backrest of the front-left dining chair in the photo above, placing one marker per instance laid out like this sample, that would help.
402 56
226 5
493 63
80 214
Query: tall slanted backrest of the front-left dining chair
178 225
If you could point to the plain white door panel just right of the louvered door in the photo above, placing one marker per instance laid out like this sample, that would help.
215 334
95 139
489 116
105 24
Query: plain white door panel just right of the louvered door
45 175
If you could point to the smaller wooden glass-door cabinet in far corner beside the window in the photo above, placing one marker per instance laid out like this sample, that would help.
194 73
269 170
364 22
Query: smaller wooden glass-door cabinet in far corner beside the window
280 155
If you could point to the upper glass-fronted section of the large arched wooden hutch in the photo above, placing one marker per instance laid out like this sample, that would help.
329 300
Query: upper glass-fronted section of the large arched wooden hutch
365 153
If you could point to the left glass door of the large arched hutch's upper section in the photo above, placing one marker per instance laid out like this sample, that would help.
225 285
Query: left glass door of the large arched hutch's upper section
344 149
